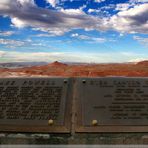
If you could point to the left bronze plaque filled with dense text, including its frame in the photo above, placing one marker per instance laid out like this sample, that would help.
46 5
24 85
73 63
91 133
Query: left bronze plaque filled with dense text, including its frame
35 104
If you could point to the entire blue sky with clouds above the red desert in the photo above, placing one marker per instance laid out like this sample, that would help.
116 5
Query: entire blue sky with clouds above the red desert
93 31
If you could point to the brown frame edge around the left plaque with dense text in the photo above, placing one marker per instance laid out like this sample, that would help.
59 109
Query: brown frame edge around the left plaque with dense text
66 128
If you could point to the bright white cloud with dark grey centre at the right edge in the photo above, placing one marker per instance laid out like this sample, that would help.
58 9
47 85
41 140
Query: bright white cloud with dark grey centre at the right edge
133 20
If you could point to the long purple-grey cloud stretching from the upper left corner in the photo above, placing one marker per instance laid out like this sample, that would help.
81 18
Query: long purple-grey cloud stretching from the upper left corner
25 13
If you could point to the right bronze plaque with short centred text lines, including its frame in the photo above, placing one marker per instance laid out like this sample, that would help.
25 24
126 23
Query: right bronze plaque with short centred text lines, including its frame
112 104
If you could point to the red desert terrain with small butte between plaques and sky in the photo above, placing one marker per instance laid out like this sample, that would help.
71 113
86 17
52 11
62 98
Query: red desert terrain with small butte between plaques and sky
139 69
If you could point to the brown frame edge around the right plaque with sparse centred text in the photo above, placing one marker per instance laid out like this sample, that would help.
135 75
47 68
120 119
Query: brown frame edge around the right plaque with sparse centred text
79 128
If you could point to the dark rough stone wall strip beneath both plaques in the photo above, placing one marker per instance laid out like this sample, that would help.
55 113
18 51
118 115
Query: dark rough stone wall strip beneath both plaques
100 138
